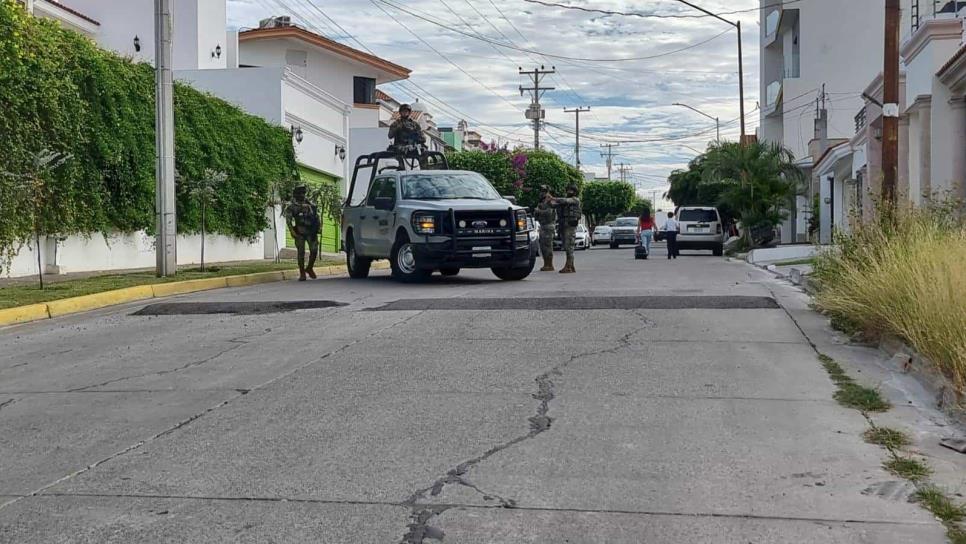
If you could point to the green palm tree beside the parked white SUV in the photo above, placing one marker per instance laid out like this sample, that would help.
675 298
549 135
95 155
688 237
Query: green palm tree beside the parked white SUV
760 179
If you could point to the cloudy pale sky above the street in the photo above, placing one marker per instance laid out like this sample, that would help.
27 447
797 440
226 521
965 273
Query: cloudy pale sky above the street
680 56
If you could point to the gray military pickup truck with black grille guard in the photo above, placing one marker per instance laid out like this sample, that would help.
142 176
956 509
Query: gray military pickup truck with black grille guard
428 220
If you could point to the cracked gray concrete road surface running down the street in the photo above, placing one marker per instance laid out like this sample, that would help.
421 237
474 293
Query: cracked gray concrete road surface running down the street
672 401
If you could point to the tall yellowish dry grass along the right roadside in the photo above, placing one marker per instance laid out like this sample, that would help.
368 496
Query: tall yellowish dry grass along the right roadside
906 279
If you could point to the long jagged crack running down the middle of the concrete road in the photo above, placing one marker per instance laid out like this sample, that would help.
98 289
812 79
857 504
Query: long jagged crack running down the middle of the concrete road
540 422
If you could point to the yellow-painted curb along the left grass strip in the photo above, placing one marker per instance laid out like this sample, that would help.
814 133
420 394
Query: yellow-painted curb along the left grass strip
95 301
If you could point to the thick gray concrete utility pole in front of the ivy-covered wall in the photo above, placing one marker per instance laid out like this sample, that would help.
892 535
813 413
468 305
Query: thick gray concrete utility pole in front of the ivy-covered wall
164 207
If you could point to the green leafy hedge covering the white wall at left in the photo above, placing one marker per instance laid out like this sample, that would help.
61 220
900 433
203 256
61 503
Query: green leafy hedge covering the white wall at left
60 92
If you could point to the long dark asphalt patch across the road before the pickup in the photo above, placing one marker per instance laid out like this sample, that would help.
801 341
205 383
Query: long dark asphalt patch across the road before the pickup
584 303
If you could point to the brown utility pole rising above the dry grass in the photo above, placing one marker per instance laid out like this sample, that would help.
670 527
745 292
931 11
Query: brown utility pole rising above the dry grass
890 106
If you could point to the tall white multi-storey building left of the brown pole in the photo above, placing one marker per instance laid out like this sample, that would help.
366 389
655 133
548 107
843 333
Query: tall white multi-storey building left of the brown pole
807 47
